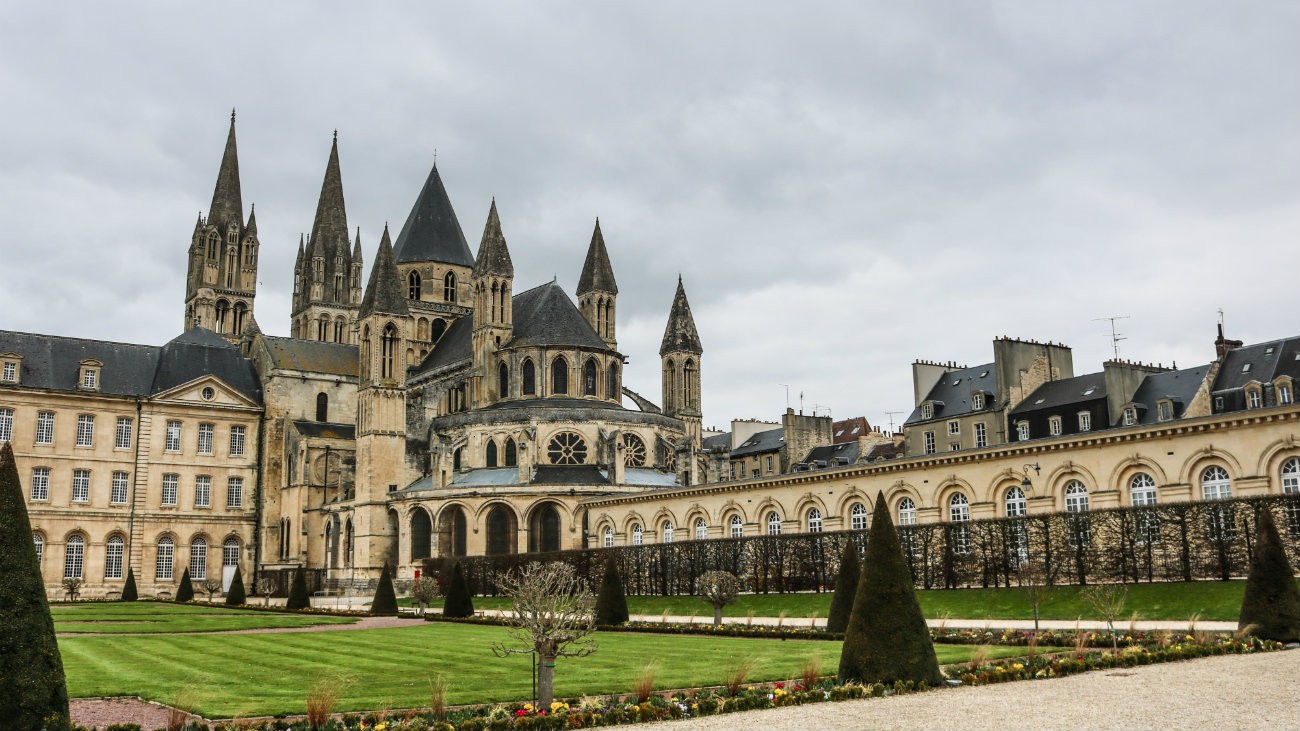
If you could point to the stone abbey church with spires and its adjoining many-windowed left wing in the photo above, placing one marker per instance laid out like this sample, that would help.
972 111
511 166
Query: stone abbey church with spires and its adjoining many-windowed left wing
428 408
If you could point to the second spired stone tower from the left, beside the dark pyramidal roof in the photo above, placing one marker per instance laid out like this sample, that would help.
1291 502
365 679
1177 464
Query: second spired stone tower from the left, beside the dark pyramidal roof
328 272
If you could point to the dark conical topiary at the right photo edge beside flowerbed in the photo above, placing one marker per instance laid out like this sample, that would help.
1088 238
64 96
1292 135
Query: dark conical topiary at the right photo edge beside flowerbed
1272 602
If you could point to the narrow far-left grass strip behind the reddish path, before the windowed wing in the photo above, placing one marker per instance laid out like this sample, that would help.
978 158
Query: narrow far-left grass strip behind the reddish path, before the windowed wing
150 618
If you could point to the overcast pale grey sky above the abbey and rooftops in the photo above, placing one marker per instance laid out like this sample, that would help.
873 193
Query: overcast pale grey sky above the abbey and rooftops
844 187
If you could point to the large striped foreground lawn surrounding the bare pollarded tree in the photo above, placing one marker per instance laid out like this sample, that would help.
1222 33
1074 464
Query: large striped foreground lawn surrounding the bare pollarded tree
229 676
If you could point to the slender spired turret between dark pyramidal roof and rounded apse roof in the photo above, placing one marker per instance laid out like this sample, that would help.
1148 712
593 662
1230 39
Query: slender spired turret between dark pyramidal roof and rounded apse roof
491 284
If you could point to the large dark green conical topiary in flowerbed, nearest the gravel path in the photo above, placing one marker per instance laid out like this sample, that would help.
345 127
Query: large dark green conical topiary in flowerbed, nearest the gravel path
887 638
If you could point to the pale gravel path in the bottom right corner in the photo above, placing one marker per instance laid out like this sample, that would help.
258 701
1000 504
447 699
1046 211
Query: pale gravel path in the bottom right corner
1224 694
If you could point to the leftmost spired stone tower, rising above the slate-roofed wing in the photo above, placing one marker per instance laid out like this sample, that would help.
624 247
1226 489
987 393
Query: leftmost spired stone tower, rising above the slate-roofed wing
223 275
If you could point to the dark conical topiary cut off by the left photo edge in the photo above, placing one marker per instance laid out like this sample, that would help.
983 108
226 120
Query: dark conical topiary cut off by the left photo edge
34 694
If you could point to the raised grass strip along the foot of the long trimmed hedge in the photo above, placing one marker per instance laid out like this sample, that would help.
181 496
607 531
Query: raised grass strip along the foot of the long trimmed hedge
1177 602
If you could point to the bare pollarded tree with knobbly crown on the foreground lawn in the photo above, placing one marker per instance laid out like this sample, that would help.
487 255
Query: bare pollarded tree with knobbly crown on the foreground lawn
554 616
